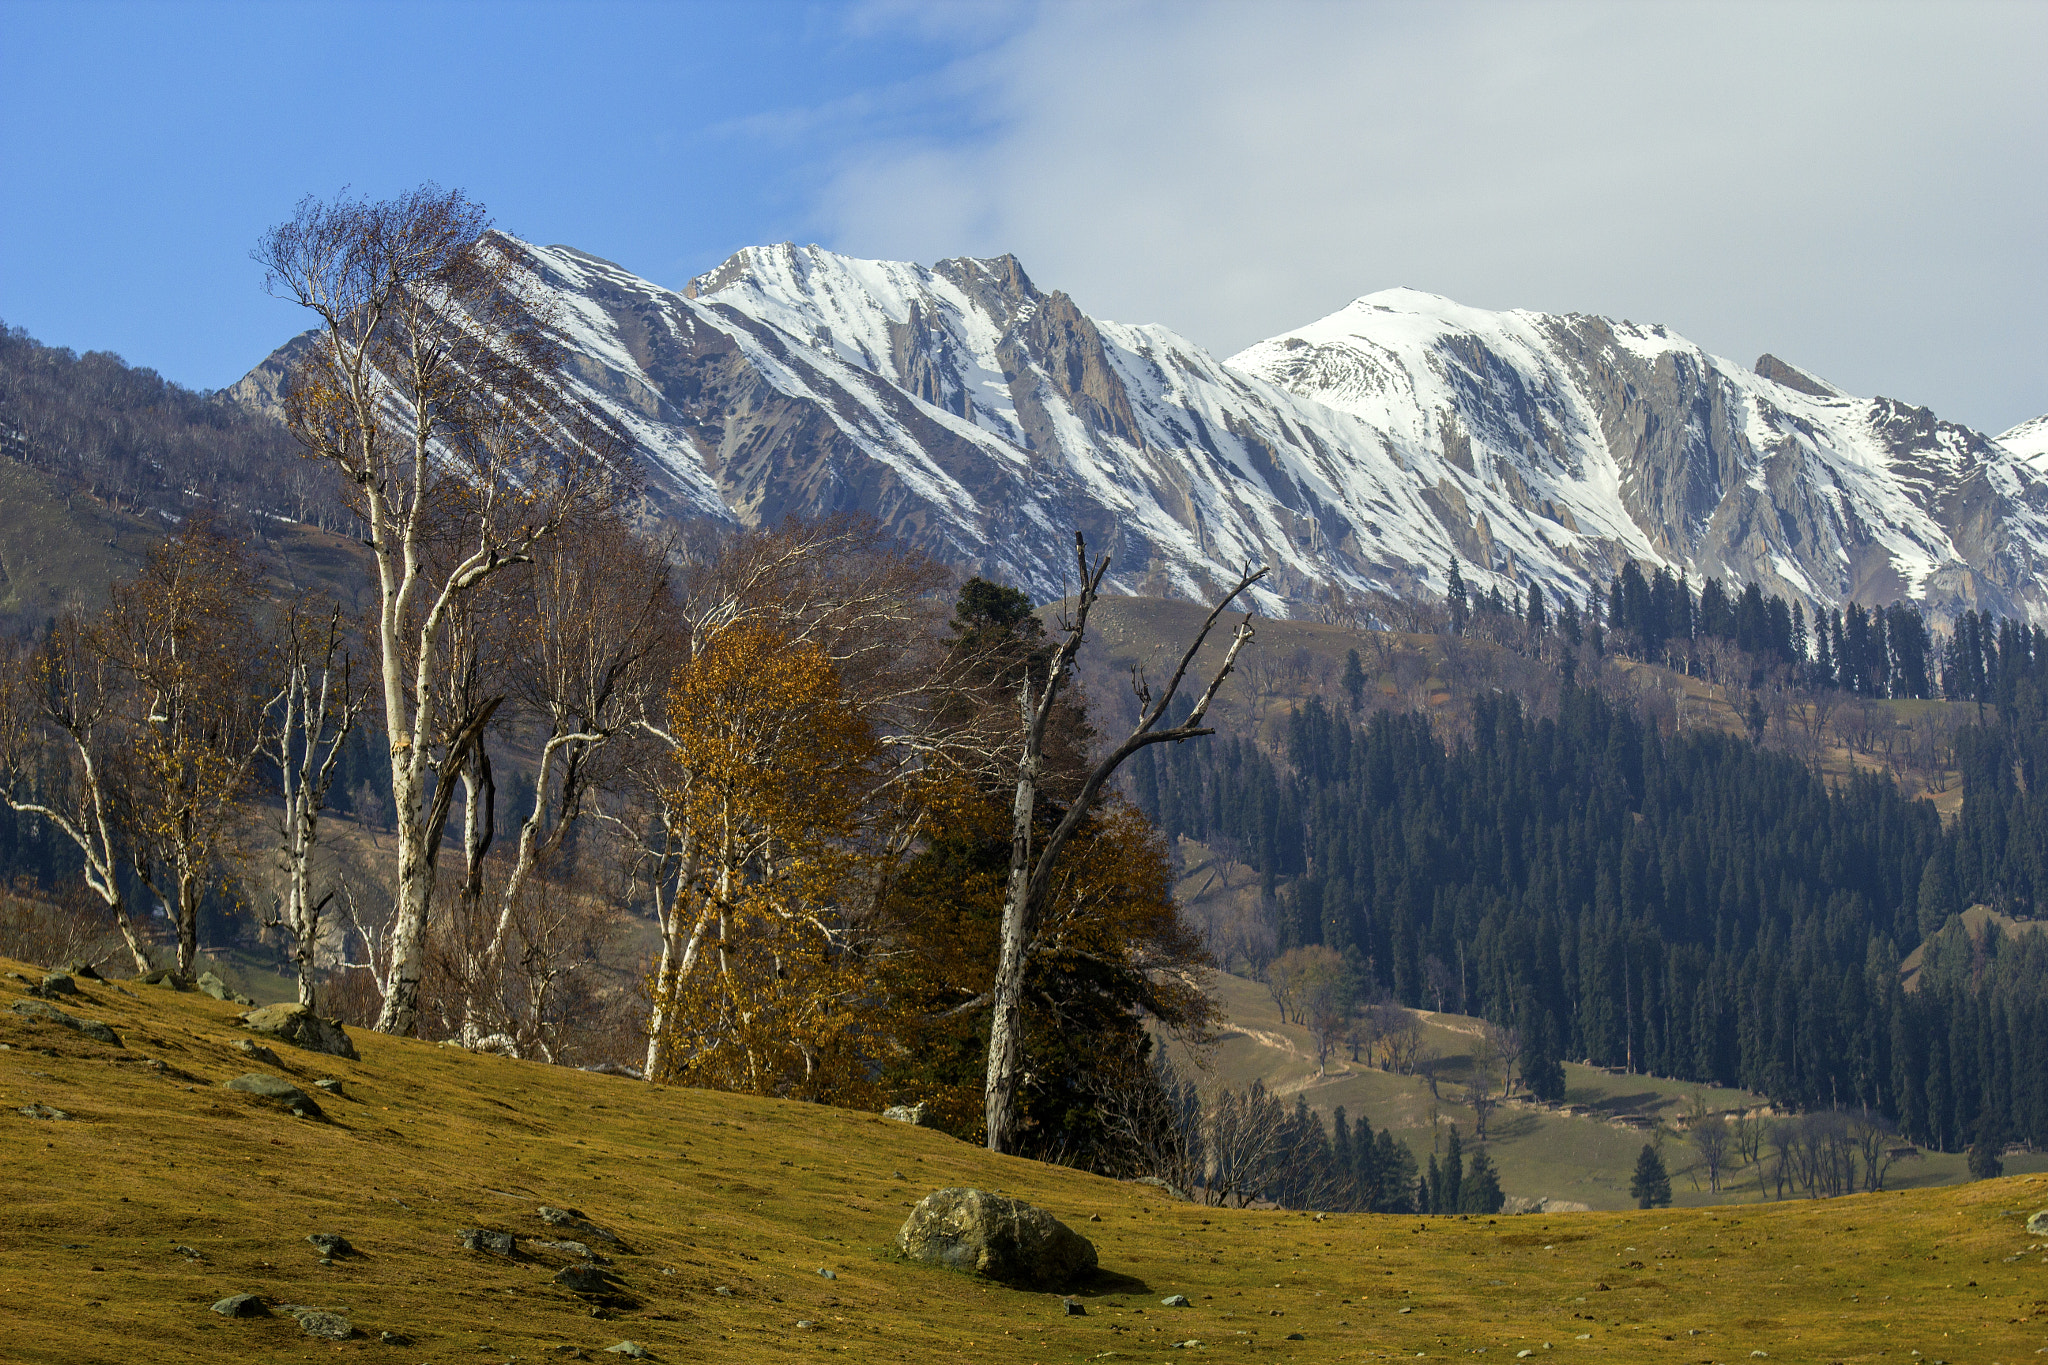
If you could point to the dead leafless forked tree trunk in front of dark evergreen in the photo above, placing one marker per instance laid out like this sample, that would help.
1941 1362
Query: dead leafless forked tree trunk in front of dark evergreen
1031 875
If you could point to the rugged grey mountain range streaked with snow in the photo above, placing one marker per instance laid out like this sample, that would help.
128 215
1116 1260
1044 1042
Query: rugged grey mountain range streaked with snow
986 421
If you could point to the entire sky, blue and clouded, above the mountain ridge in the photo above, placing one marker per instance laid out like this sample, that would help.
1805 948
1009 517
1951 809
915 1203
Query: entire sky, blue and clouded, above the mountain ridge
1854 187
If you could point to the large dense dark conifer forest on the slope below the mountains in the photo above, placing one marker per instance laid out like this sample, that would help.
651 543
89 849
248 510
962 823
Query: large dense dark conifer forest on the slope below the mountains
1680 906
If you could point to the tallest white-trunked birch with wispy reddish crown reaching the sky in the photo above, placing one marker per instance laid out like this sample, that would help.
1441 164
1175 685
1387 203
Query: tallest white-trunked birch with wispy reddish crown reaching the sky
429 386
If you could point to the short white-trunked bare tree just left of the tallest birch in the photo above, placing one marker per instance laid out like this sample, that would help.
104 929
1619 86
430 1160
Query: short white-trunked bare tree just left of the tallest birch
308 721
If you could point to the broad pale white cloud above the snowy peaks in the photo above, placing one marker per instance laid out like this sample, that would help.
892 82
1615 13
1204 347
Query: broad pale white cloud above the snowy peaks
1857 187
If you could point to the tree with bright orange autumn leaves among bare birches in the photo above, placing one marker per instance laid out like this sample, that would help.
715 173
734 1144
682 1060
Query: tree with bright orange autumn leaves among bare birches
773 775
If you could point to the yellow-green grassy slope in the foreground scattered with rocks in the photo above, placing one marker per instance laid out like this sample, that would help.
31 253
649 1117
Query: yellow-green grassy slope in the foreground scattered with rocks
163 1194
